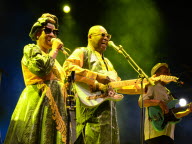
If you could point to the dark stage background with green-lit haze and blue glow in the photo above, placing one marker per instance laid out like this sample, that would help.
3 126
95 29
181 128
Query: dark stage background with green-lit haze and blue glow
150 31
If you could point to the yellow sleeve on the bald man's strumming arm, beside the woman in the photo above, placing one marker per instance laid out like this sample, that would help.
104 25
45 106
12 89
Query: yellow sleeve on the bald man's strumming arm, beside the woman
75 63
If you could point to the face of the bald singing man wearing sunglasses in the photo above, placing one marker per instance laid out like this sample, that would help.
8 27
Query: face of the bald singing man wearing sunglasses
99 39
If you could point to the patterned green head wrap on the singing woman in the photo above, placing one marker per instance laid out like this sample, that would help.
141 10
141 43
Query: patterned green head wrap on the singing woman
42 22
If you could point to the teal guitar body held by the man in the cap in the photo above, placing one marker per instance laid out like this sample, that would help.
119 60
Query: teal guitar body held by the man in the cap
160 120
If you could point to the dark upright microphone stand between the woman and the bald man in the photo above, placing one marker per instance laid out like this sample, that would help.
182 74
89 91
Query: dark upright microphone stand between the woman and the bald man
70 102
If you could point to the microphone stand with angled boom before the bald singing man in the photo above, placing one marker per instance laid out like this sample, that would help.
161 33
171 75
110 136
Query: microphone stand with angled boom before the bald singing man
142 75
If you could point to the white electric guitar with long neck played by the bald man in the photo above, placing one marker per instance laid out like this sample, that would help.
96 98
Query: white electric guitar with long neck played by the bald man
92 99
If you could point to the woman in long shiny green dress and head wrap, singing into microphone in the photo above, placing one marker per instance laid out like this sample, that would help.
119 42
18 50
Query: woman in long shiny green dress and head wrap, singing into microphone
40 114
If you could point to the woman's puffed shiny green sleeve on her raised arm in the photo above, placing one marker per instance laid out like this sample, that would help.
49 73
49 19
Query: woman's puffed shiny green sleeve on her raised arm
38 63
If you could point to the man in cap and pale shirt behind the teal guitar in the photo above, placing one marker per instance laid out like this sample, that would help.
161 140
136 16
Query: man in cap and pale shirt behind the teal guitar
158 96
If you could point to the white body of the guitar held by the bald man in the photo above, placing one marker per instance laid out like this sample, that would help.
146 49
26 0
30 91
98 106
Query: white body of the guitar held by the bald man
89 99
